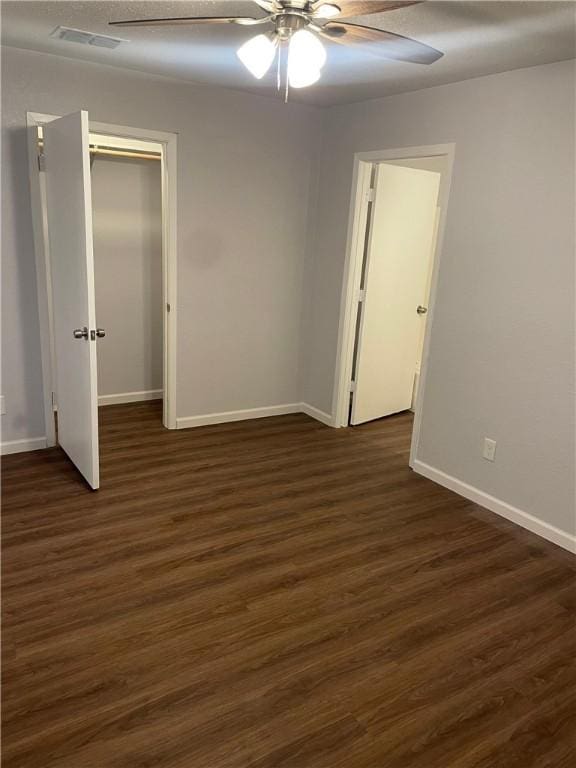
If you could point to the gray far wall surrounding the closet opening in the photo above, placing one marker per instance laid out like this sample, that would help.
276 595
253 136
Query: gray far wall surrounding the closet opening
245 168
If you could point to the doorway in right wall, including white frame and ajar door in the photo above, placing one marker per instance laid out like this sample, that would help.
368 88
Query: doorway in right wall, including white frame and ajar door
396 225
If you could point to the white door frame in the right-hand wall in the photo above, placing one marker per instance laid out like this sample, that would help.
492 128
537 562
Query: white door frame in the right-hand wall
357 221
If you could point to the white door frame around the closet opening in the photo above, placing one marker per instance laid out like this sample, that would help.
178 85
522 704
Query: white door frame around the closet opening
168 143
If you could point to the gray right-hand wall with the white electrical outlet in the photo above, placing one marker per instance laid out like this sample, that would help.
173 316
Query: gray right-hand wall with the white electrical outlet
502 344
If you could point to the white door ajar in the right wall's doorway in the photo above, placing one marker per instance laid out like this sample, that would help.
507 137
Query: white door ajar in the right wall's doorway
402 233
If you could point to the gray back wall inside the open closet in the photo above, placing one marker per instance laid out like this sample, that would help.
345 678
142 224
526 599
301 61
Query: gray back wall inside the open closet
127 222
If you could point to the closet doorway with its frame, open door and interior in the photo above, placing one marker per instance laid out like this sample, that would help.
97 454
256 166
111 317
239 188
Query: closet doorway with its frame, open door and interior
104 219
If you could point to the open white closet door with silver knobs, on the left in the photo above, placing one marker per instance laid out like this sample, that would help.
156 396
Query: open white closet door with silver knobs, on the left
69 210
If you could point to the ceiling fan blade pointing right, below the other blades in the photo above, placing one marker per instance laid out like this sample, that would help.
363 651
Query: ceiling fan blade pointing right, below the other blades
381 43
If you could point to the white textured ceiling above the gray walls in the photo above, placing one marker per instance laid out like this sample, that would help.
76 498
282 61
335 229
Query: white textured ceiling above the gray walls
478 38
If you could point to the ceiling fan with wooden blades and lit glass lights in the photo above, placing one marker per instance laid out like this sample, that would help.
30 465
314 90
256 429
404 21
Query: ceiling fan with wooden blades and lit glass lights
300 24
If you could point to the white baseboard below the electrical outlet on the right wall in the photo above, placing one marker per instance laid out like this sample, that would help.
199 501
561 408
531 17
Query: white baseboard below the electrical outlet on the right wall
515 515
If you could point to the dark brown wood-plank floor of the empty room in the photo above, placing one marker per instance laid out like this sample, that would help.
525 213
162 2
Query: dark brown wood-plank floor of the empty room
275 594
